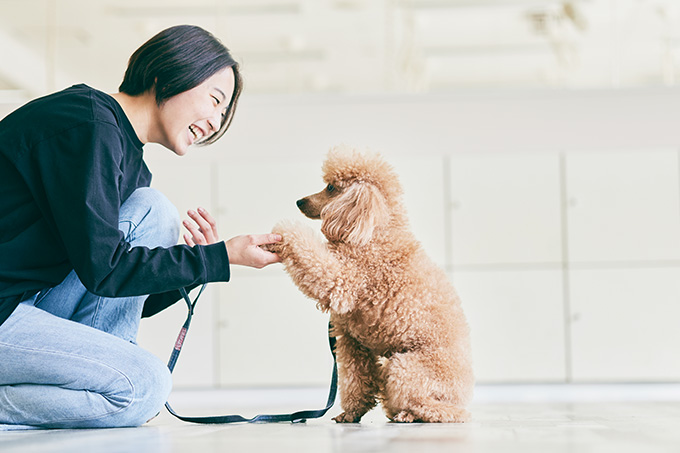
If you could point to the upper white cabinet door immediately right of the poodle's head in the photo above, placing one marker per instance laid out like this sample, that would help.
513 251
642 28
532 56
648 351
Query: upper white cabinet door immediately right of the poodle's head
506 209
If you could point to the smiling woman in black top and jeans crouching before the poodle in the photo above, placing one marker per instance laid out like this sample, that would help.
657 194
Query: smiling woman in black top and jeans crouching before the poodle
87 248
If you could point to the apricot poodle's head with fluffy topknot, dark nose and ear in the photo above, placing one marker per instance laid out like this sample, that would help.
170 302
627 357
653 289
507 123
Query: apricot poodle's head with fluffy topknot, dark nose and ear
361 192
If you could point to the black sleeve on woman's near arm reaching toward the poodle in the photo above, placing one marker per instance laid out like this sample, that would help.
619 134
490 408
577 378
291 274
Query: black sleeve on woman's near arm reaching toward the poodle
81 173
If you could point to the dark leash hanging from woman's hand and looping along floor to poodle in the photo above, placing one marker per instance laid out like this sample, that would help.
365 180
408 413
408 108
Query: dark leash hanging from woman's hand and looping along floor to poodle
296 417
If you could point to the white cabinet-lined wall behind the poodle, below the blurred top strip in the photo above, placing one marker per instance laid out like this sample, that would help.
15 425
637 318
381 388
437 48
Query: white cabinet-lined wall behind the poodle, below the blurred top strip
556 214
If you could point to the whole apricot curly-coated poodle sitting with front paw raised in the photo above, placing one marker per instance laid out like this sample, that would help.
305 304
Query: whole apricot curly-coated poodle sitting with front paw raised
403 339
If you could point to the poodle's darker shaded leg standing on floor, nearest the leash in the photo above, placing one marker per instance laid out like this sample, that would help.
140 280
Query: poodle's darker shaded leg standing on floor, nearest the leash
357 379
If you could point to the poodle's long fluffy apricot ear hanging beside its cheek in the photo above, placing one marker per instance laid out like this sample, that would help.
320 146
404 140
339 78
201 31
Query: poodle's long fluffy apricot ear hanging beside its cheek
353 216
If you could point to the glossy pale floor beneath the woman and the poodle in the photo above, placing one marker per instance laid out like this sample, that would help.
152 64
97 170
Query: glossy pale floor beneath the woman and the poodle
511 419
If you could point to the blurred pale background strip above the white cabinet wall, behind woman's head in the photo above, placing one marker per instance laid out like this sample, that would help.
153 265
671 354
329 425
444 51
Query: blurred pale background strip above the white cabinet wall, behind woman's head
354 46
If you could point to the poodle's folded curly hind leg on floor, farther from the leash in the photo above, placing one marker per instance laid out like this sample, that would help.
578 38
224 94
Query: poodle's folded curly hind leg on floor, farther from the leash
423 387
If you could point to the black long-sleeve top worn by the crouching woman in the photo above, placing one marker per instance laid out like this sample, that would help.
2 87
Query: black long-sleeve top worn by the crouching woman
67 163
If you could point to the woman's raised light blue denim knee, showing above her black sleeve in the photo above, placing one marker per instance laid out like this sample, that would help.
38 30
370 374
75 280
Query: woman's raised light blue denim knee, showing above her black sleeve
149 219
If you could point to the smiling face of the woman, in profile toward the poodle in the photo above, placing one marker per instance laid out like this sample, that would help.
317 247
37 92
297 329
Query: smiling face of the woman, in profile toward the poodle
194 114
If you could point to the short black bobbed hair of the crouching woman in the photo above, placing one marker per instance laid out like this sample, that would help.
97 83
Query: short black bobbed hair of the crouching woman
176 60
